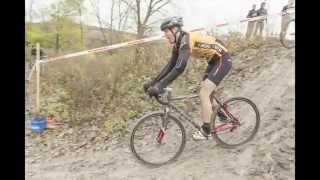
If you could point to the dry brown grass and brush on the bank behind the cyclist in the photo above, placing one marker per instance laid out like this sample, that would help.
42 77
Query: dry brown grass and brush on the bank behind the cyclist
108 88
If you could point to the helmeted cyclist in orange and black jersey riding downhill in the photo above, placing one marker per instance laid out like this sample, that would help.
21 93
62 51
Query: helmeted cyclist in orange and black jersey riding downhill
186 44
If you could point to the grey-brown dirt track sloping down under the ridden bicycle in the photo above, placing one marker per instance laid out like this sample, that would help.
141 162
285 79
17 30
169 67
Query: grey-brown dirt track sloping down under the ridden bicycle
266 76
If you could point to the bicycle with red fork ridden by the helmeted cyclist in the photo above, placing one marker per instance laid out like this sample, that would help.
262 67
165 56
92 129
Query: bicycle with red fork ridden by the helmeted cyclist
168 127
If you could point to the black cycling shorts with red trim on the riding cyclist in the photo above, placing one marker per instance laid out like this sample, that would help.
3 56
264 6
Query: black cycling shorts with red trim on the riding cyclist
218 68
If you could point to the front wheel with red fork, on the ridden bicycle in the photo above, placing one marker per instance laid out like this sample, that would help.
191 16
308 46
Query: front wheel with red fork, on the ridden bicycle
157 140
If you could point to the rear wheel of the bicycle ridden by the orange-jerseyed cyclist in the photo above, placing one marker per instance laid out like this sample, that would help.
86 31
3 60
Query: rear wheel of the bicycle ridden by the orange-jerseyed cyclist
242 122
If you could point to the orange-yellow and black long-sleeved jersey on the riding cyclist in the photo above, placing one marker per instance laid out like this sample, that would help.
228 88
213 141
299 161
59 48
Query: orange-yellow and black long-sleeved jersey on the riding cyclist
194 45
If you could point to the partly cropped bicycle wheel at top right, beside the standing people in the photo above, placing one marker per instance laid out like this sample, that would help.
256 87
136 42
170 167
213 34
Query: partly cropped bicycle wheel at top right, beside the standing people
288 38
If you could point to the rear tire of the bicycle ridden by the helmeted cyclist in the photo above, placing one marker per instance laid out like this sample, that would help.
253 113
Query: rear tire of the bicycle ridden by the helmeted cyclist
254 132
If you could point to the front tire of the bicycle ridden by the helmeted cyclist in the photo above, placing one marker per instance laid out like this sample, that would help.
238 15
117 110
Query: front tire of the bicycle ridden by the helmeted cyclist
147 118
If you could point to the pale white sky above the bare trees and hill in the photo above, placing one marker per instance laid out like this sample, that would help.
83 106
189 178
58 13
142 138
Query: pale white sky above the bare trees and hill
196 14
